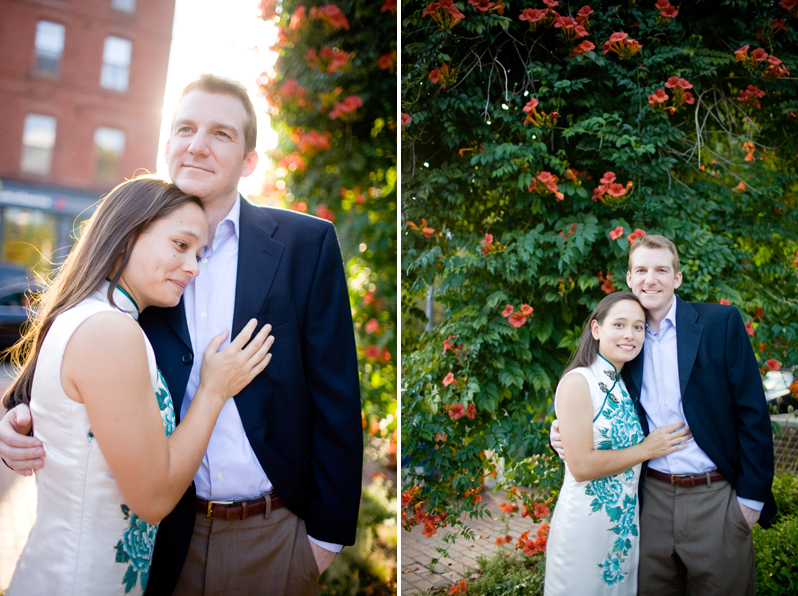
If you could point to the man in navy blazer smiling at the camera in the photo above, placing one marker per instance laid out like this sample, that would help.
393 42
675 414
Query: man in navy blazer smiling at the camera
697 367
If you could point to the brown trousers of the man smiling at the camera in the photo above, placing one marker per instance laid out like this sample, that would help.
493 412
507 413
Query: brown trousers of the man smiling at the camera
694 536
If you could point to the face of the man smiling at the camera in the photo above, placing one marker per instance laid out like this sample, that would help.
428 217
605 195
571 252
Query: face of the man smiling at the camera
652 279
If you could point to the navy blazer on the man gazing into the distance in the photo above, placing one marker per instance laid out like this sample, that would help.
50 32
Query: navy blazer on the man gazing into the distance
302 414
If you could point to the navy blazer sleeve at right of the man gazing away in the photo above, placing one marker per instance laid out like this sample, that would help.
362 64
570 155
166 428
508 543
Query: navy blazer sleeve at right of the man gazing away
331 371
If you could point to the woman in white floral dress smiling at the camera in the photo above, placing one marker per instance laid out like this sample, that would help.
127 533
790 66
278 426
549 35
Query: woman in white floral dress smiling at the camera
593 539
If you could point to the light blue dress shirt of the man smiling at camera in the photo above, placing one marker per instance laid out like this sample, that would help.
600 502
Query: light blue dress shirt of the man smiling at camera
661 399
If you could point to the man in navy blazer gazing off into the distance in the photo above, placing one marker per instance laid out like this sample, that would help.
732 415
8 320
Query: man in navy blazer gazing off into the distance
278 492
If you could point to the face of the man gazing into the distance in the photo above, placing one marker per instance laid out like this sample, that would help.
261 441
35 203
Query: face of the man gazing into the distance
205 151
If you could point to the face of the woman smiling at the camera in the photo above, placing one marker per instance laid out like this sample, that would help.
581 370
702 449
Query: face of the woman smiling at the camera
622 332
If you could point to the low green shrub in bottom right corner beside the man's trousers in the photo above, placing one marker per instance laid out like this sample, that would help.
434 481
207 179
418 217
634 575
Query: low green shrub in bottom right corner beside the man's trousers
776 565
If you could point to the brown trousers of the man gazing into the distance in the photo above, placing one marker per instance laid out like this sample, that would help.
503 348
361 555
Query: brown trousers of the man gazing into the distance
263 555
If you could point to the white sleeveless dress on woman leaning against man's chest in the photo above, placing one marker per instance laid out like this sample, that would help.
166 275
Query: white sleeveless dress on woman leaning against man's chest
85 540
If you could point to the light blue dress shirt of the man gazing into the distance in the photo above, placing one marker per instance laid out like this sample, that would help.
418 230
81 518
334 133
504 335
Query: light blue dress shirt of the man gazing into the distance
230 469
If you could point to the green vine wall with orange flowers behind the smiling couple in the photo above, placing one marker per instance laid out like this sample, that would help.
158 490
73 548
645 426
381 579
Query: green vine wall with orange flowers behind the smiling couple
537 137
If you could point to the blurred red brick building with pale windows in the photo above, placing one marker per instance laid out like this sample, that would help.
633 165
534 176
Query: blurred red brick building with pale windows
81 94
